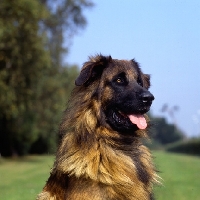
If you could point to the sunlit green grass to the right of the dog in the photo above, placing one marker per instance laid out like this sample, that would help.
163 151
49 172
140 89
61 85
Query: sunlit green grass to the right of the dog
180 174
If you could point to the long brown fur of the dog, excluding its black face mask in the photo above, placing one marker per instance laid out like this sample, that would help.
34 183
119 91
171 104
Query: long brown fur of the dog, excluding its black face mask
95 162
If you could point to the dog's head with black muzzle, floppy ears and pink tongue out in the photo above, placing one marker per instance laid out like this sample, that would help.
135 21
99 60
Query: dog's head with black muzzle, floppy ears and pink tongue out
121 89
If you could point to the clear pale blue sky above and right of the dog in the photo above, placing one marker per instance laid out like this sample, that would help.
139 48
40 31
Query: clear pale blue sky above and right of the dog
163 36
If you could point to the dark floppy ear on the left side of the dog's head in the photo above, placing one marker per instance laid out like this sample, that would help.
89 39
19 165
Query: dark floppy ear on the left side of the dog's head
92 69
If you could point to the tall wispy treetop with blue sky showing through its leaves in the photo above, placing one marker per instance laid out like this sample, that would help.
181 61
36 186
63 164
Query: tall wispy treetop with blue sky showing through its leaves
66 18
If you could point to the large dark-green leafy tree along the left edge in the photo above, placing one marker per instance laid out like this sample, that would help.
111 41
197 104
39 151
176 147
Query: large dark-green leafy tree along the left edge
23 62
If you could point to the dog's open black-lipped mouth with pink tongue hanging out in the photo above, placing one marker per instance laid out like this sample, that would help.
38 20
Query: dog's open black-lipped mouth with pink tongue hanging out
127 119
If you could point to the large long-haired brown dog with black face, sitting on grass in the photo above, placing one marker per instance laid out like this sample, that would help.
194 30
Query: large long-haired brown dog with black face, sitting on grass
101 155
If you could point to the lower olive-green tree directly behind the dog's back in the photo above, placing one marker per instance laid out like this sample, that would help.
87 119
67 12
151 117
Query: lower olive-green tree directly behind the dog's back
53 95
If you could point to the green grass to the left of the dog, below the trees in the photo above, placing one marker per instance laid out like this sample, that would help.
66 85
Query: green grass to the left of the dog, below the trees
24 178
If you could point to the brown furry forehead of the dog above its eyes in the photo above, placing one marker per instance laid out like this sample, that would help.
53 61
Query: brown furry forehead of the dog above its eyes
118 66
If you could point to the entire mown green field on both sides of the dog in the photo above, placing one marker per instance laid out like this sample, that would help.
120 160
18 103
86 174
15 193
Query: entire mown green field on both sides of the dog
23 179
